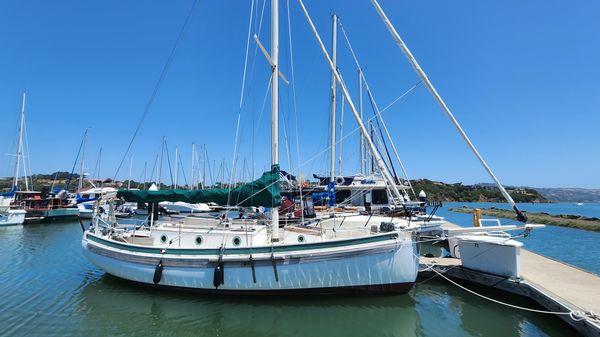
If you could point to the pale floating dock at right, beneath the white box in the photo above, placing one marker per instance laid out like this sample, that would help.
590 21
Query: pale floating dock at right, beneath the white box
556 286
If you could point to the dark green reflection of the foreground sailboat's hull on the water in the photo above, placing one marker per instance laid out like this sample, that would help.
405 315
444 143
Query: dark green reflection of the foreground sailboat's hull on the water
127 307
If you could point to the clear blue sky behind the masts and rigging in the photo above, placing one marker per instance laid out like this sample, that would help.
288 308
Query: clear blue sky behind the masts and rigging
521 76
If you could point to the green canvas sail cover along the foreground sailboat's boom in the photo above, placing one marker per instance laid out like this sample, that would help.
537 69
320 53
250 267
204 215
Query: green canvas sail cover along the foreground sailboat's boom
264 191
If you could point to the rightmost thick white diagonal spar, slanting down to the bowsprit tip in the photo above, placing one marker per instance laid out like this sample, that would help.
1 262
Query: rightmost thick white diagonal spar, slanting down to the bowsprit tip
442 104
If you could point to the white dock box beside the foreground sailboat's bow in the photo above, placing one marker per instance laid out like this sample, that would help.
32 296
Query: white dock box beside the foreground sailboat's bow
490 254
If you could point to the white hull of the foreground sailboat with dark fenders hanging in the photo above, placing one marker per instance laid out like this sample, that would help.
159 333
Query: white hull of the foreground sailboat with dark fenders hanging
389 265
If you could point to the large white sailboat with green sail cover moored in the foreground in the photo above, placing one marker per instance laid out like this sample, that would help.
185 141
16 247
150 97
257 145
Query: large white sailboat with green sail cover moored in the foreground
251 255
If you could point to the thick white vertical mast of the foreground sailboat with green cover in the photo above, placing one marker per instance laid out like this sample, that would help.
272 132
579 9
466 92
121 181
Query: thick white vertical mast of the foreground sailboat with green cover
275 107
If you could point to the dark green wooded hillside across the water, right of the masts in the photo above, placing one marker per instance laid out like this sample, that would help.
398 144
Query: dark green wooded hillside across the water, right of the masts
474 193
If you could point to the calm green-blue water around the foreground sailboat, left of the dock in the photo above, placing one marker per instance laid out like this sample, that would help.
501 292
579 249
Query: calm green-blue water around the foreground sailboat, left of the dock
49 289
